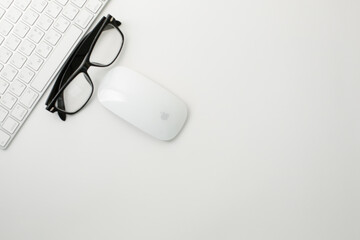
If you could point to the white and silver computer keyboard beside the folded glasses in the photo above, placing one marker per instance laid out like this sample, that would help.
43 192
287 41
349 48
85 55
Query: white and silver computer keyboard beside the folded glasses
36 37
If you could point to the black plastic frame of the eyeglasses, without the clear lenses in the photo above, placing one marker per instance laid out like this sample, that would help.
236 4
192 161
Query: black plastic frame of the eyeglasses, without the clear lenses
61 83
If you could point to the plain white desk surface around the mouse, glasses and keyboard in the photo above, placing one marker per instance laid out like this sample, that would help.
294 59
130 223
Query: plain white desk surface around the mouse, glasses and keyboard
270 151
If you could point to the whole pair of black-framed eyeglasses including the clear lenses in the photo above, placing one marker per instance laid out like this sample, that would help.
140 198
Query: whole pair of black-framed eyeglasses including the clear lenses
73 87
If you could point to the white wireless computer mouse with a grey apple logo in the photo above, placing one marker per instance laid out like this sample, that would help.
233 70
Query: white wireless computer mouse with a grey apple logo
143 103
